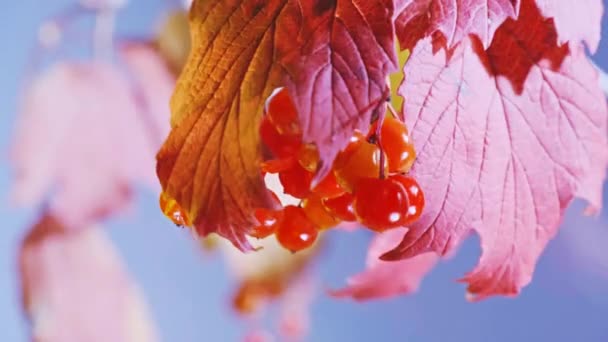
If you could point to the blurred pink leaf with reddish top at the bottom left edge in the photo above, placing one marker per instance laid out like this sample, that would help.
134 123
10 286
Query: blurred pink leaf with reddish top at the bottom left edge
75 288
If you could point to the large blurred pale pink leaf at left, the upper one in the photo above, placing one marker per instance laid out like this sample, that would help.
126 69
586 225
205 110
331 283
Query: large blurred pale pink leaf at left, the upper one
81 140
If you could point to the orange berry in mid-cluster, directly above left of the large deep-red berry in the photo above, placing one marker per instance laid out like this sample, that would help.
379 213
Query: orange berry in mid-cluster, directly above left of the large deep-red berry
361 160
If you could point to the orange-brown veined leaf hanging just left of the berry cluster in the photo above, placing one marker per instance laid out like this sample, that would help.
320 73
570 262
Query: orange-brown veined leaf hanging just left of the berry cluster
209 162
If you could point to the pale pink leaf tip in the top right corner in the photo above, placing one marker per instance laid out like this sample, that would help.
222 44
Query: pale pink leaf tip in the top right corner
575 20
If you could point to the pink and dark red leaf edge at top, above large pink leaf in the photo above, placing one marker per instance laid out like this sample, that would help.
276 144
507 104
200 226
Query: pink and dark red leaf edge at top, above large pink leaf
451 21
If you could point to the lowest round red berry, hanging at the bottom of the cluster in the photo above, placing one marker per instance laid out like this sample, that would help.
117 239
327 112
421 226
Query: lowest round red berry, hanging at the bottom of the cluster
296 232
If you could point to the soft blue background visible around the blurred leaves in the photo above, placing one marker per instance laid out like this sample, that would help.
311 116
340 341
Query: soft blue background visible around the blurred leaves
188 292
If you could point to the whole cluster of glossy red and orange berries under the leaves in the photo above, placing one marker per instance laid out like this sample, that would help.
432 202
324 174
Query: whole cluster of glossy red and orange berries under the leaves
368 182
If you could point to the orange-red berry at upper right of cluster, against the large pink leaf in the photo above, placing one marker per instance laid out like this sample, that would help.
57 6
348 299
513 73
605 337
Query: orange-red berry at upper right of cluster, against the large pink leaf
396 143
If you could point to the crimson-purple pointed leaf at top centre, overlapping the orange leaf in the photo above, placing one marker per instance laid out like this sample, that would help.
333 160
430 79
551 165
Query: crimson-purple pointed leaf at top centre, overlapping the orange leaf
337 56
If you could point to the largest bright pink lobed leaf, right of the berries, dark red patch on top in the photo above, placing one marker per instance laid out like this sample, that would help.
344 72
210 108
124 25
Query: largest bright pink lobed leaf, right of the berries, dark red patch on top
499 160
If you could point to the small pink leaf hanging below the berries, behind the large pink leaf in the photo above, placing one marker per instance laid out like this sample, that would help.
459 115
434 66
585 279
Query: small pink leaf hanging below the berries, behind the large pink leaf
383 279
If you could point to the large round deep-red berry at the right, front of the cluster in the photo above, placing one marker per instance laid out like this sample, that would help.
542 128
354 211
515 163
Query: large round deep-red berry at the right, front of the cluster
380 204
